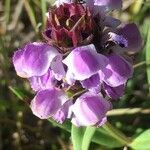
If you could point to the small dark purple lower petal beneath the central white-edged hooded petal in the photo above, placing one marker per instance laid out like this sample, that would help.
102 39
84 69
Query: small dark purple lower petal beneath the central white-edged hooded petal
92 83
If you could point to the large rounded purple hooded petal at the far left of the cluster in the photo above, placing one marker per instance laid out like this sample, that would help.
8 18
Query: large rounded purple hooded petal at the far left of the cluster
34 59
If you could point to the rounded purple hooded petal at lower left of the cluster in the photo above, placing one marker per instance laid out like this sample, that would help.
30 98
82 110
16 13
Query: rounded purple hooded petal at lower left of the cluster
47 102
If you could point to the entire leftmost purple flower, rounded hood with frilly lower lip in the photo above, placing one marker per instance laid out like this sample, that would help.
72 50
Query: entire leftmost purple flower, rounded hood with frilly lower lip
40 63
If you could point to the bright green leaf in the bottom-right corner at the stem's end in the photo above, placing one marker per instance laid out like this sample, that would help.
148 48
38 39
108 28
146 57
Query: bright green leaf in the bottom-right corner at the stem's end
142 142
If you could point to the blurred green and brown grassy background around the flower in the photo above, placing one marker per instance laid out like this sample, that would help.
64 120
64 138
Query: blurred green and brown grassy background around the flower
22 21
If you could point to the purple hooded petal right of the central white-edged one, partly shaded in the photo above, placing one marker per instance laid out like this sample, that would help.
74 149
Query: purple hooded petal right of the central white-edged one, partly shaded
117 72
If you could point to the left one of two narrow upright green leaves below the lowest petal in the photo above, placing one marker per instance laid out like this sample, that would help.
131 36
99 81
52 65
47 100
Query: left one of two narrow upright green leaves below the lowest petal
77 134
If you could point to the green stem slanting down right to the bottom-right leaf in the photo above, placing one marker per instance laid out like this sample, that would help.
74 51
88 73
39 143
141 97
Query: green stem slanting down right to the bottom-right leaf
116 134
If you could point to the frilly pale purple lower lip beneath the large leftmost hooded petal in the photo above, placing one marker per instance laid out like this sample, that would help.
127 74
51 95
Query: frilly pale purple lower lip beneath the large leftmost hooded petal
43 82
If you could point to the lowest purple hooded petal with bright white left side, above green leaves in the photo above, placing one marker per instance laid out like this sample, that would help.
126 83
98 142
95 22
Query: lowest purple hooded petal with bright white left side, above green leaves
89 109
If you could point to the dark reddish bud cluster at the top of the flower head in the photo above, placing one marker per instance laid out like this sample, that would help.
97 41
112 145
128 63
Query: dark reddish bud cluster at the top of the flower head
70 25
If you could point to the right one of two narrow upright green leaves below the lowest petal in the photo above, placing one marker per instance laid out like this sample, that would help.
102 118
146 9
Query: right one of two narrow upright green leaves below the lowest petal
87 138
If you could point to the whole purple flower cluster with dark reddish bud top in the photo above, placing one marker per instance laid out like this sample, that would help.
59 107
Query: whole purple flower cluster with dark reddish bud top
82 65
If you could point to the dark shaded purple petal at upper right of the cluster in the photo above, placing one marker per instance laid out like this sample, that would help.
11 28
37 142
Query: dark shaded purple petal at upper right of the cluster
131 33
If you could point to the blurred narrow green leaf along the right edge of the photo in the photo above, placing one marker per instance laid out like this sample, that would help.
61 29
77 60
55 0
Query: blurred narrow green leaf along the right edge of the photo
148 57
